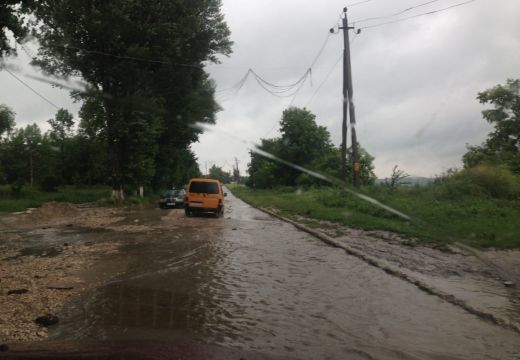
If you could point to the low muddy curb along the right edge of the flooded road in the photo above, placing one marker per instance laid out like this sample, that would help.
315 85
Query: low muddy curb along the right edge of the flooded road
395 271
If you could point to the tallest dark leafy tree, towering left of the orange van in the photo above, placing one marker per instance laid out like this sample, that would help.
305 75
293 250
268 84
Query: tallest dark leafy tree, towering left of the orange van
144 61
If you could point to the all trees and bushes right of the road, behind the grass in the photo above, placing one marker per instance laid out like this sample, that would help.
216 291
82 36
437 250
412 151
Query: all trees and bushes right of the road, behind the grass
491 169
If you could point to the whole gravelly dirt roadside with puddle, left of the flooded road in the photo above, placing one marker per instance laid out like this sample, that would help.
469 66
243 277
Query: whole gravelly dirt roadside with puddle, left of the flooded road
39 272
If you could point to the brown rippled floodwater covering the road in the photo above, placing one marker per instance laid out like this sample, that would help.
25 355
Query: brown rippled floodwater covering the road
251 282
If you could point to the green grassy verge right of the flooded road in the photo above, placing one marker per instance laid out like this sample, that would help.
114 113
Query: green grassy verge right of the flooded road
476 221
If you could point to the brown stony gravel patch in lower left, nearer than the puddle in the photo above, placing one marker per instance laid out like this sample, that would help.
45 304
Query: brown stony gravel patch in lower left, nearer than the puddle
43 274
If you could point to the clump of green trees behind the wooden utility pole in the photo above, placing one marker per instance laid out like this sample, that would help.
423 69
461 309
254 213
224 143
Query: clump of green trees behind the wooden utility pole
304 143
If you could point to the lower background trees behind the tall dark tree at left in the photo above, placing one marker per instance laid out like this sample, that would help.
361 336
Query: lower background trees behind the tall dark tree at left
64 155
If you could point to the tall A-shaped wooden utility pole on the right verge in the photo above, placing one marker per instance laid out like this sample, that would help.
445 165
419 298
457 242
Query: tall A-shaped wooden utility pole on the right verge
348 103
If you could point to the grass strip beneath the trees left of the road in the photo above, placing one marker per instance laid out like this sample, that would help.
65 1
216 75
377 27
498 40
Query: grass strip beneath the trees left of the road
33 198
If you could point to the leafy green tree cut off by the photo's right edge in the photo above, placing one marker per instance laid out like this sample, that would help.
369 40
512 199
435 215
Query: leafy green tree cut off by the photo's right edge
503 143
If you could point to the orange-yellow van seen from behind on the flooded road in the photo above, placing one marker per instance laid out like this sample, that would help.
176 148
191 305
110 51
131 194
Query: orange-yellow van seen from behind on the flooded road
204 195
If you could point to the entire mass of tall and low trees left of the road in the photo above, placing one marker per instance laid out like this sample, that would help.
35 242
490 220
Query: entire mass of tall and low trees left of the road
145 87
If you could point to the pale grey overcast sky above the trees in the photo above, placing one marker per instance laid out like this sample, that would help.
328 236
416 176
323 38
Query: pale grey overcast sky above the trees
415 82
